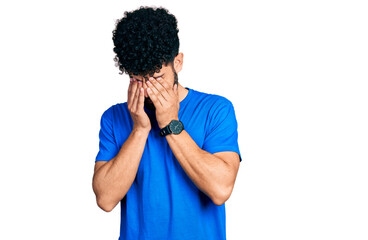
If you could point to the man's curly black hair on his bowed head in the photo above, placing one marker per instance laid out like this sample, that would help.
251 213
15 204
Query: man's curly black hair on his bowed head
144 40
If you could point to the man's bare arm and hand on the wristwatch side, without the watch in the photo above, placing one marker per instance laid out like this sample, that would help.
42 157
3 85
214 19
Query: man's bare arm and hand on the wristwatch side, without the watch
214 174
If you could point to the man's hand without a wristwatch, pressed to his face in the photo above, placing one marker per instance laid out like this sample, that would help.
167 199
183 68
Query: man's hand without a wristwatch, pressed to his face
135 103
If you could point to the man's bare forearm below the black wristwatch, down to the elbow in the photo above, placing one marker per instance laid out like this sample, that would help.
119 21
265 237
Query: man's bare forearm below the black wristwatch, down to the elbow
210 174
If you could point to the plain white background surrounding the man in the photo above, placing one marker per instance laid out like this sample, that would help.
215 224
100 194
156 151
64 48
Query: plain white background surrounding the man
296 72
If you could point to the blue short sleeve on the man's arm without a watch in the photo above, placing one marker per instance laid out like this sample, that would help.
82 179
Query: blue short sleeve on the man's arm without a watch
107 145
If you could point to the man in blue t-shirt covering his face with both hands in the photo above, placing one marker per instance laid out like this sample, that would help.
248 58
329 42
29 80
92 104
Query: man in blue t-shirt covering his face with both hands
169 154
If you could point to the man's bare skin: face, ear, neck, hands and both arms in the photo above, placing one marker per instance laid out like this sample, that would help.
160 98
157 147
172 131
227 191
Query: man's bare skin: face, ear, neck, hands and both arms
214 174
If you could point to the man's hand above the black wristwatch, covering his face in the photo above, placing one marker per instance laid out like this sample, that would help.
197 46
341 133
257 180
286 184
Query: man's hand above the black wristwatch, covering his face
166 100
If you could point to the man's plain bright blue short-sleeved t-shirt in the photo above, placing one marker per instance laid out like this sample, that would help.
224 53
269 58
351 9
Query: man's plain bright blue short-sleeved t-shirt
163 202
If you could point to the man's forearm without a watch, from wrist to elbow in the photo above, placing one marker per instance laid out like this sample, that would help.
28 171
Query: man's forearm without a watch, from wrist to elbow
112 181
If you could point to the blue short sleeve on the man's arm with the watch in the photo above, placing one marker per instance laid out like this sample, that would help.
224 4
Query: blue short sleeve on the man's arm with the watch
222 132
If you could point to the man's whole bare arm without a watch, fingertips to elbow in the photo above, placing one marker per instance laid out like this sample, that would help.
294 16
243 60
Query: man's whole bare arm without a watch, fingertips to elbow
112 179
